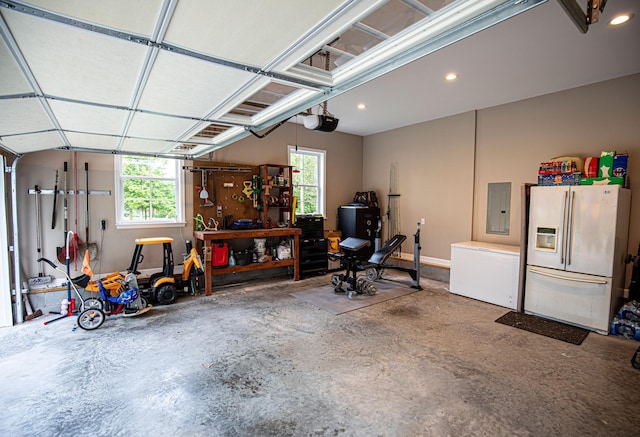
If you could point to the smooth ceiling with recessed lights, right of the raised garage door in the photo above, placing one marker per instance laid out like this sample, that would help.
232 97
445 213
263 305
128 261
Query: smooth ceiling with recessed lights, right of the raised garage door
538 52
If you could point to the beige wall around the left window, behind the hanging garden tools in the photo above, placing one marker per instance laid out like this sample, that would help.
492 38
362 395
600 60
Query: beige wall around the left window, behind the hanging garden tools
116 246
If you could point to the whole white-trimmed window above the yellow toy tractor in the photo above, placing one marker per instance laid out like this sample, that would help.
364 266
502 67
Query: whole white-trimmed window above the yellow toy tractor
149 192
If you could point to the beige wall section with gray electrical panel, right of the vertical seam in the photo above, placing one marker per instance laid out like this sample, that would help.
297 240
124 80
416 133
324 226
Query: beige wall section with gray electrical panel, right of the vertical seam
513 139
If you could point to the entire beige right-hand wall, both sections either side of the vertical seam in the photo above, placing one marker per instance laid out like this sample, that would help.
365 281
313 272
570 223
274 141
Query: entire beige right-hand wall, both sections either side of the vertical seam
445 172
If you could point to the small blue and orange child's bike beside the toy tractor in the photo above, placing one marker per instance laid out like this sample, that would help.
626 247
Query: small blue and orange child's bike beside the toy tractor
118 295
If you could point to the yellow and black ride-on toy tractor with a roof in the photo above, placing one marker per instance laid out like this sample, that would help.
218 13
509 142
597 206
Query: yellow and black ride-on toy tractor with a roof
163 286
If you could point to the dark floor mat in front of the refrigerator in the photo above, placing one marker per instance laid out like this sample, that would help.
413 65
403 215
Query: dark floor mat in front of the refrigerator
548 328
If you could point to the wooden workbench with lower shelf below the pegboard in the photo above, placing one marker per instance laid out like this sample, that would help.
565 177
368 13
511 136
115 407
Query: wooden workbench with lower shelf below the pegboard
206 237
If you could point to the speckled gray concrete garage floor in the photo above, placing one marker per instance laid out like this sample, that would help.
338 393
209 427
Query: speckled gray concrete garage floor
254 361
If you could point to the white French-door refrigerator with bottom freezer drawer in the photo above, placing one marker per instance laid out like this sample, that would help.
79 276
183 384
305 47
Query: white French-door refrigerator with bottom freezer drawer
576 253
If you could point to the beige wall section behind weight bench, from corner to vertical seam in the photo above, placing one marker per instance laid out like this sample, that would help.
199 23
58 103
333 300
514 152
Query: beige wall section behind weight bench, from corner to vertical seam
435 162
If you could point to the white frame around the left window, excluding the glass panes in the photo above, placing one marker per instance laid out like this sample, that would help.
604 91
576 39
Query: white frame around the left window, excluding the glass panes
179 221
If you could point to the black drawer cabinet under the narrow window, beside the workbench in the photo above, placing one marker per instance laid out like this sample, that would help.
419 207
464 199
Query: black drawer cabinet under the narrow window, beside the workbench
313 246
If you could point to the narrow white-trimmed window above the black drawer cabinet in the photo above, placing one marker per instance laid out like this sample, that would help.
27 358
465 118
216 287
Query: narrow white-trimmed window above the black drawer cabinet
308 179
